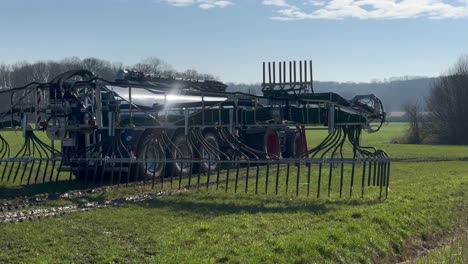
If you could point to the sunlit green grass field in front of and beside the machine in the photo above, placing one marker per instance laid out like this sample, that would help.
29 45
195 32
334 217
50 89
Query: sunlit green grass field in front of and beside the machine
427 202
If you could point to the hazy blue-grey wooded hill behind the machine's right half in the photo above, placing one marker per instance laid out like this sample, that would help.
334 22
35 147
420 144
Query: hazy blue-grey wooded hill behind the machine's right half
394 93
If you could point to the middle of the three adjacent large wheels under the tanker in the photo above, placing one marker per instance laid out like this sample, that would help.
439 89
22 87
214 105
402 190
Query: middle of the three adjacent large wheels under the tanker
181 149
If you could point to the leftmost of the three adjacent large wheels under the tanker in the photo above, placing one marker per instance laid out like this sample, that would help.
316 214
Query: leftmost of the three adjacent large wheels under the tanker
149 149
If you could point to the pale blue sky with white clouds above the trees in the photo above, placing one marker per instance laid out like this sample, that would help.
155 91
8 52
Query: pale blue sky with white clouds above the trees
348 40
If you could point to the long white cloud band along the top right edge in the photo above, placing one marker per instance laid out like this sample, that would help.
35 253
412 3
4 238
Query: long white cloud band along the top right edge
368 9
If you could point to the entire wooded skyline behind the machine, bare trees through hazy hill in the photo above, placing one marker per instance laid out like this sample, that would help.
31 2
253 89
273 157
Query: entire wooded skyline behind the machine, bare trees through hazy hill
395 92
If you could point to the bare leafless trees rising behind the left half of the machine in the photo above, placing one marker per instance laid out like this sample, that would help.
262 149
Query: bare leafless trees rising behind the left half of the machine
22 73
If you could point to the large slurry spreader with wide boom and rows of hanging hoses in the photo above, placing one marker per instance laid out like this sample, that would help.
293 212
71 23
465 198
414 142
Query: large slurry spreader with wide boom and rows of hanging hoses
156 130
